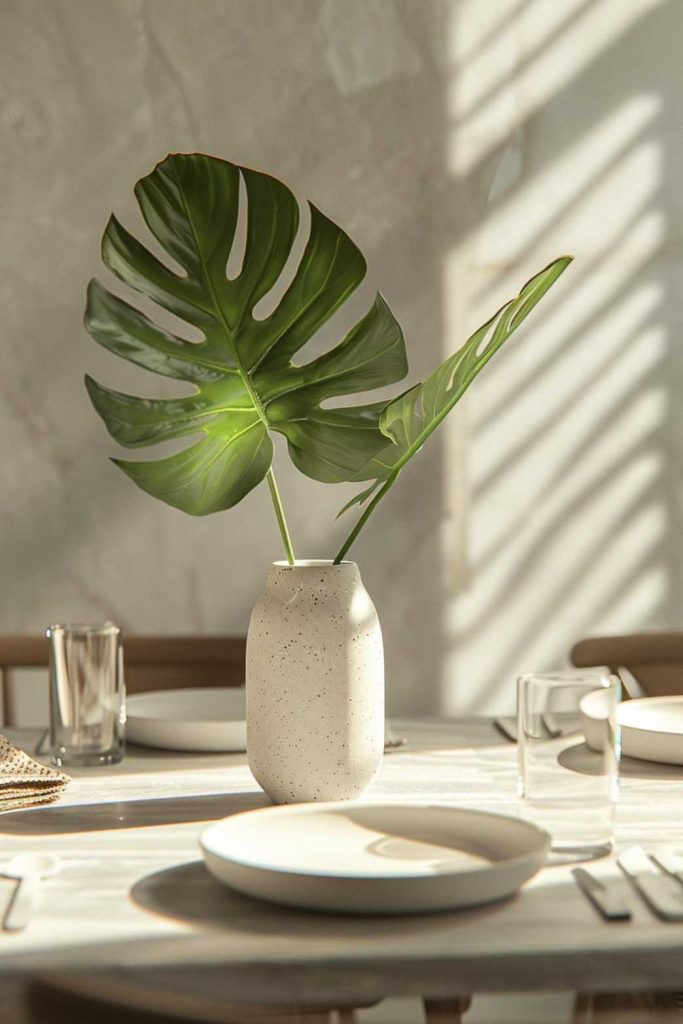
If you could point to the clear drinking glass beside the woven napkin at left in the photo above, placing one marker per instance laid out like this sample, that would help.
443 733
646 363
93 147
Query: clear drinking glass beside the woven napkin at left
88 695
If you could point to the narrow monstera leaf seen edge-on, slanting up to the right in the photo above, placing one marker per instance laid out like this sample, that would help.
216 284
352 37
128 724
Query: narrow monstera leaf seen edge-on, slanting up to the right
409 420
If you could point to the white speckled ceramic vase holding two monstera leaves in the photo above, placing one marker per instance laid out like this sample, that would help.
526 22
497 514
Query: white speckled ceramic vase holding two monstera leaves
315 685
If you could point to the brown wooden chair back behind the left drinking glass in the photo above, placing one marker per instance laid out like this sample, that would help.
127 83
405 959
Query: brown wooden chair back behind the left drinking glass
153 663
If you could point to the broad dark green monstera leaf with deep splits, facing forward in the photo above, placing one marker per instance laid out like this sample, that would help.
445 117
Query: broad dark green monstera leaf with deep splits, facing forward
245 381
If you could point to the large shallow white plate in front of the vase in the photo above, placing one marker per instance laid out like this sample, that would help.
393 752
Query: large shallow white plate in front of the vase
374 859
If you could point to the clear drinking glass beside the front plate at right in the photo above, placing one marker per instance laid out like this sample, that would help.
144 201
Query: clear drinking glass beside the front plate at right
569 749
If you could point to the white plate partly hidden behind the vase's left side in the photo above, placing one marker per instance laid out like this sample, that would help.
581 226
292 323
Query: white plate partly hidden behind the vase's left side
200 720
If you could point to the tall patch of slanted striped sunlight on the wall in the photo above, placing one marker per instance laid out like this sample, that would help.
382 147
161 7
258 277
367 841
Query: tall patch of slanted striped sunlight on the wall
558 143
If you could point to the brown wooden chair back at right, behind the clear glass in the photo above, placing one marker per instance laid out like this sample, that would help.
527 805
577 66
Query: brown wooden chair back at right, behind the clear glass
656 660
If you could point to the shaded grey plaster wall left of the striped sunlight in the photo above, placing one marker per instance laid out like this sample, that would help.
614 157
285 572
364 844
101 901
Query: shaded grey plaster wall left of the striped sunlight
341 101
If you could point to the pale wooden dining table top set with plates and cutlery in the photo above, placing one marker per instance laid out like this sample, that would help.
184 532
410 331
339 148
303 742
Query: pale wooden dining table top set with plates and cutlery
134 903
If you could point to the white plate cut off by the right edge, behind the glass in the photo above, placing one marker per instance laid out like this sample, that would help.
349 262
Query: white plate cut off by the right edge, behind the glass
653 730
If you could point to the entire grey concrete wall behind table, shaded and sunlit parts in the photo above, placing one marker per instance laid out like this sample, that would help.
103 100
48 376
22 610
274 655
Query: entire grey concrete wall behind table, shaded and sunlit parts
462 145
